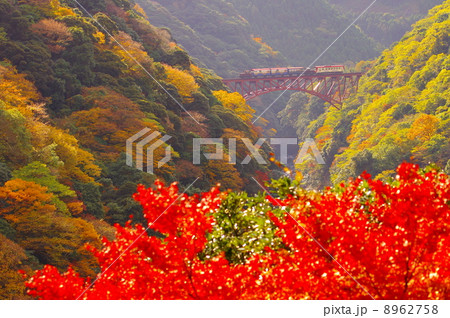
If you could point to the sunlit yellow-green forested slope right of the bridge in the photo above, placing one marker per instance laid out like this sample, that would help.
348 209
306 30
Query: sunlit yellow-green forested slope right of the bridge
401 112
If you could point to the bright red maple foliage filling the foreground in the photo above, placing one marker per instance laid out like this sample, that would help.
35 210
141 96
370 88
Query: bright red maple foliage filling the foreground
391 238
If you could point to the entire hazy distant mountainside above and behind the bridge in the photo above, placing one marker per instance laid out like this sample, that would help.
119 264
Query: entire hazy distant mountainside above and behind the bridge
229 36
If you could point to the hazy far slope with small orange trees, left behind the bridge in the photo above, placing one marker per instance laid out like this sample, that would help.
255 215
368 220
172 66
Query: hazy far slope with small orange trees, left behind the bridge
214 32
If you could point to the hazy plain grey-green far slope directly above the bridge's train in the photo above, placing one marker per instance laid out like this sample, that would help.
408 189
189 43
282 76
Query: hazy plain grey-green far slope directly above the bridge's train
302 30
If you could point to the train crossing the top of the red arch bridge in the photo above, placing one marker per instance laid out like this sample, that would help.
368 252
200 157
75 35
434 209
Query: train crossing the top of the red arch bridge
293 71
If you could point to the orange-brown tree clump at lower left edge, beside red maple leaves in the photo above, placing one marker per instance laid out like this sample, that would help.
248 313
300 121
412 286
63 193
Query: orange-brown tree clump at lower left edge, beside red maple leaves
51 236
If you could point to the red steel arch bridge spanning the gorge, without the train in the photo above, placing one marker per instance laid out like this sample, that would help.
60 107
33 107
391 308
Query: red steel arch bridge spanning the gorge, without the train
332 88
